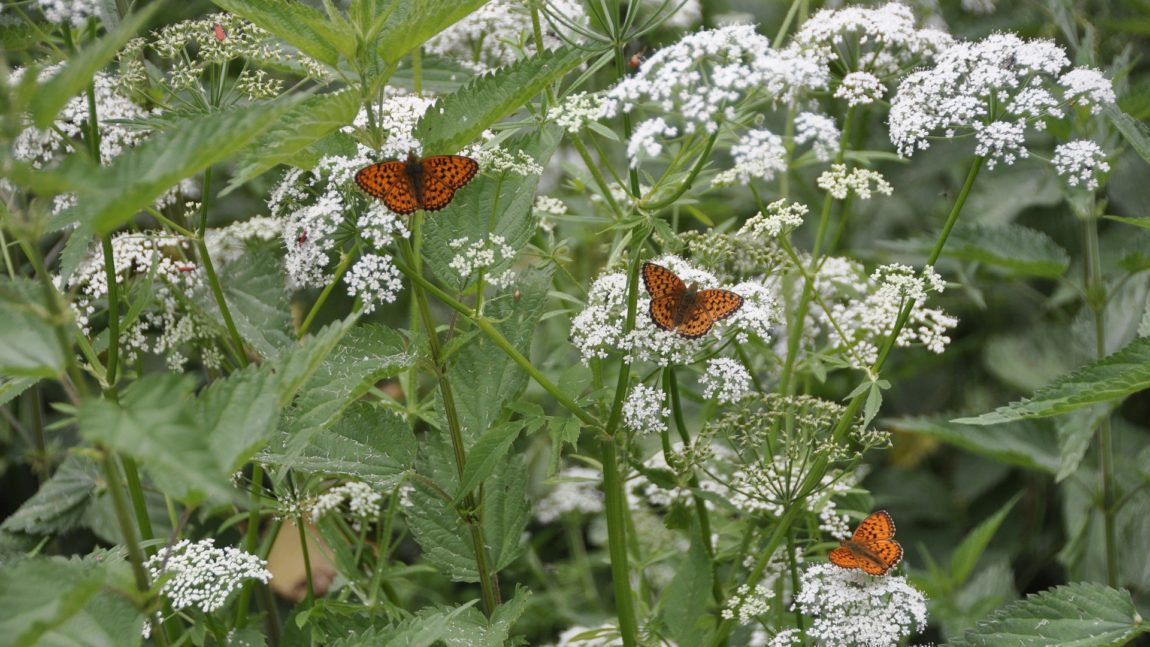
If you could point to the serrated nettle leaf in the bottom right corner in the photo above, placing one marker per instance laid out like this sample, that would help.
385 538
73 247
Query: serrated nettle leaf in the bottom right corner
1080 614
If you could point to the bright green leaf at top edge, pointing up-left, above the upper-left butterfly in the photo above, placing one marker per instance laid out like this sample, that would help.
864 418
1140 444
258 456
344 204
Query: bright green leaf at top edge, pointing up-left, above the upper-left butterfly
300 26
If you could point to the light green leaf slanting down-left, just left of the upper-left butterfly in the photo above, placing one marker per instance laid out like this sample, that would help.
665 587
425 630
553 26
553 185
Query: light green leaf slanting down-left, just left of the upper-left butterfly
309 122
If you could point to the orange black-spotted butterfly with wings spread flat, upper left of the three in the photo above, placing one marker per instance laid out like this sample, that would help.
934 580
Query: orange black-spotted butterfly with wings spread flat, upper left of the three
427 184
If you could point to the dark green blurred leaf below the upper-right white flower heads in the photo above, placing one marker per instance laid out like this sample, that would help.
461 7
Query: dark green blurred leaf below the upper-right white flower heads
1013 248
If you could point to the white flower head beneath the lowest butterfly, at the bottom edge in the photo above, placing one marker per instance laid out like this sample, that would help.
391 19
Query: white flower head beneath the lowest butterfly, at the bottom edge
850 609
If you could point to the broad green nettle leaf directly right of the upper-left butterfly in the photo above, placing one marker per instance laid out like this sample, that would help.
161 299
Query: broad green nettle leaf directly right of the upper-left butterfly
492 205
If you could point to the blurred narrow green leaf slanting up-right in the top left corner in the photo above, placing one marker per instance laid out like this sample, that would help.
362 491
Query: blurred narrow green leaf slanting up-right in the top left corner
80 70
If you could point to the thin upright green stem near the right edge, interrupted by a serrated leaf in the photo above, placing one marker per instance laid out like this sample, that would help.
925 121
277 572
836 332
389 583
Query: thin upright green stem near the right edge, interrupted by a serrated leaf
1097 301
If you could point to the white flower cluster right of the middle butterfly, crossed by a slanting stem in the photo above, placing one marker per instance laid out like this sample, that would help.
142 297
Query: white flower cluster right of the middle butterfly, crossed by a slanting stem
865 309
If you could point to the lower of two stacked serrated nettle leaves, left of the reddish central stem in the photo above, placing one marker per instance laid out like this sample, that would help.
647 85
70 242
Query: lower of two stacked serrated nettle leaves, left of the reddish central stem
367 444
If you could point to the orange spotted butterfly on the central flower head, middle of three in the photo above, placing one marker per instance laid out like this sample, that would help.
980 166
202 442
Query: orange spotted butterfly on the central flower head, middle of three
686 310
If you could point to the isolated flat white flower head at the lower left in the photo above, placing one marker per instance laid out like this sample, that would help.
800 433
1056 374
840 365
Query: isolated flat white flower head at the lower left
201 575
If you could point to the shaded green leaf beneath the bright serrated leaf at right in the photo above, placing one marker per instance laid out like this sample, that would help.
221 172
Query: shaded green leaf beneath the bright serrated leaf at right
1025 444
